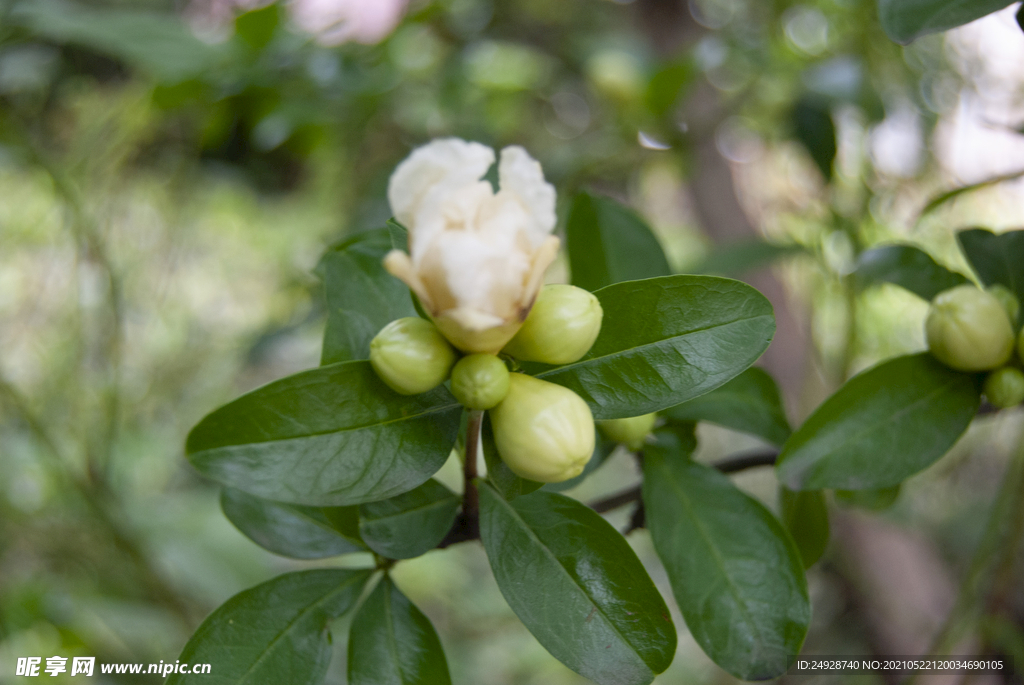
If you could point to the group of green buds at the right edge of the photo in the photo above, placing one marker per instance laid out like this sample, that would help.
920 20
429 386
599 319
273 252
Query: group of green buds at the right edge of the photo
972 330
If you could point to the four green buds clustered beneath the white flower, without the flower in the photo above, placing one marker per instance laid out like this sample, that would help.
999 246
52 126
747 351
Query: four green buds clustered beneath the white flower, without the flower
543 432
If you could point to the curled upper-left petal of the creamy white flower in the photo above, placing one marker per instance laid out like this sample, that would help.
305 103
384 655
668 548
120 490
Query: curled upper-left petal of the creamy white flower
447 162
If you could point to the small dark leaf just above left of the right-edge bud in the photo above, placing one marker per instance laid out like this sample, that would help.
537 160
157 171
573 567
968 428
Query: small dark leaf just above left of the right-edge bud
908 268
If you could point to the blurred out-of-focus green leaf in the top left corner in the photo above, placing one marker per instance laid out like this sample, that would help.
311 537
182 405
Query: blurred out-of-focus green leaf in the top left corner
159 45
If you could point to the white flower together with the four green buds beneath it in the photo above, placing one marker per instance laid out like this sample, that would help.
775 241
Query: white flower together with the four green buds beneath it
477 262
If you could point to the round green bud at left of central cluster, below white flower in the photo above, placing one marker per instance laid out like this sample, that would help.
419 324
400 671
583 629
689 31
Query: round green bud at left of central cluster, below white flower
411 356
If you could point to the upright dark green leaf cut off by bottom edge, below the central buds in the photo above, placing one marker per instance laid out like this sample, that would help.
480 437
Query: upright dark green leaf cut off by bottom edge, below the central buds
393 644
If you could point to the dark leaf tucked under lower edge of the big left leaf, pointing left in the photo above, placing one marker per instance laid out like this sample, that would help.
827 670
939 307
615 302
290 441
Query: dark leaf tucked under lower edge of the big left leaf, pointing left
288 530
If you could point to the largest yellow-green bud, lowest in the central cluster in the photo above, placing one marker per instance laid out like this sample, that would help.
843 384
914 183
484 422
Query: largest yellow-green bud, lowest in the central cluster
543 432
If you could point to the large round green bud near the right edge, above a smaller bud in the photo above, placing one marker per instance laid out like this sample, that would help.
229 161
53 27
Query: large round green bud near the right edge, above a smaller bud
968 330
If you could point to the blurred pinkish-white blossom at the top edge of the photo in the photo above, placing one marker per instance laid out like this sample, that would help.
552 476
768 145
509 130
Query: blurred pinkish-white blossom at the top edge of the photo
336 22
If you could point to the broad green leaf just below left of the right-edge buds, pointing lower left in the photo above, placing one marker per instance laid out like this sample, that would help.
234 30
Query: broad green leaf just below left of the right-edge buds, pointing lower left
882 426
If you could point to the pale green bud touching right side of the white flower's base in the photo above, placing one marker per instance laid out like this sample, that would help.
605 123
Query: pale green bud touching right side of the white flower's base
562 327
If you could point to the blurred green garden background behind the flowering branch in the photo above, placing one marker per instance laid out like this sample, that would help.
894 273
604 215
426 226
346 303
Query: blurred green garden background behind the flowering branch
170 174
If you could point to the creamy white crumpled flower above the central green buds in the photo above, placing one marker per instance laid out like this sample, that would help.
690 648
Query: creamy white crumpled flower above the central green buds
478 258
